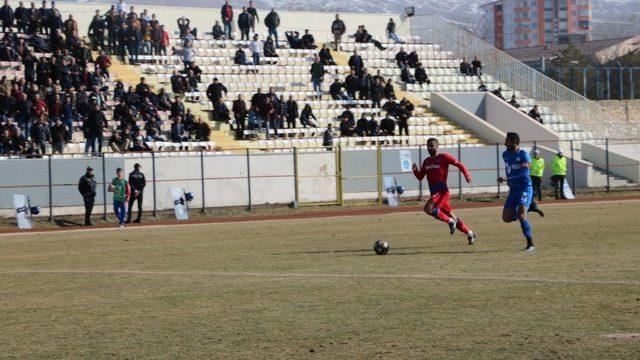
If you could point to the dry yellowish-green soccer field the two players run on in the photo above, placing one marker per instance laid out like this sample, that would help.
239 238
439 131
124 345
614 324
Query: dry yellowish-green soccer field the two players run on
314 288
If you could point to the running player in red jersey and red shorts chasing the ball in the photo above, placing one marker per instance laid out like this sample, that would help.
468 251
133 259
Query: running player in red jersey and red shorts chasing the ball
436 168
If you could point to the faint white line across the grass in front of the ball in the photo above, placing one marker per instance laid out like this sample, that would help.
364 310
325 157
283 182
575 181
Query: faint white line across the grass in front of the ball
323 276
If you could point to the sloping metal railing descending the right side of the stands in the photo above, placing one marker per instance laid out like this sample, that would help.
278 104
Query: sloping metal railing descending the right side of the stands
518 76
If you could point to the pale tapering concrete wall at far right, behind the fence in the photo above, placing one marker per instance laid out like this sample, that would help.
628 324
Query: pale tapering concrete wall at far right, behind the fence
624 159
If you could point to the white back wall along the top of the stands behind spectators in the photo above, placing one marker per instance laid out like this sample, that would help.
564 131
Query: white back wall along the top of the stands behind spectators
203 18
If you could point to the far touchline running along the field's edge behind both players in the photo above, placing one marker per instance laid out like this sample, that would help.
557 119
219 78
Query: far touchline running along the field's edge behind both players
178 224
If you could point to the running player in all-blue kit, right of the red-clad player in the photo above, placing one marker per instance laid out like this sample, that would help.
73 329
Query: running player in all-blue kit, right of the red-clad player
517 163
